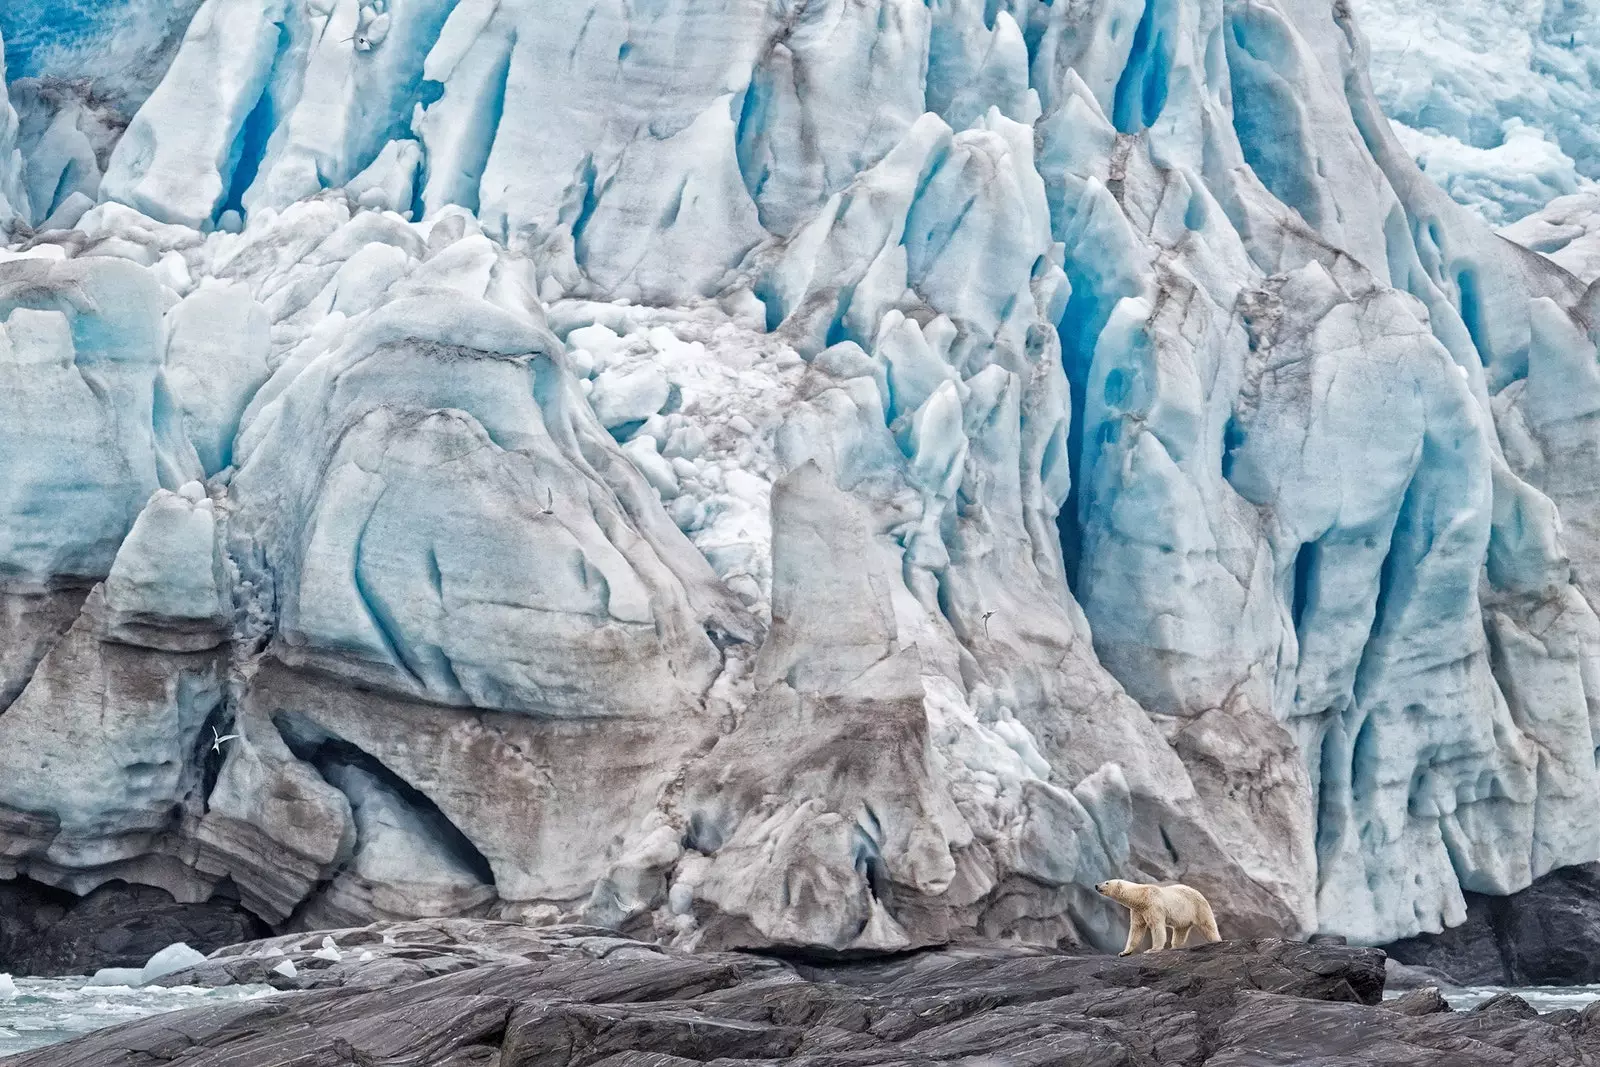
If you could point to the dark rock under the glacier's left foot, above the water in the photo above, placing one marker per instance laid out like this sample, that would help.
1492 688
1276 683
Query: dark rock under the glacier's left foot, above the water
50 933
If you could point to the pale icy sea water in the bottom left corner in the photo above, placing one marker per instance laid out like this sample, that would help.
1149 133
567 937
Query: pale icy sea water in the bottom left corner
38 1012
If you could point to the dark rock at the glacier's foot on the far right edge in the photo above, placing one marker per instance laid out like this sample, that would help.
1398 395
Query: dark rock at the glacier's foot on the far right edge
1548 935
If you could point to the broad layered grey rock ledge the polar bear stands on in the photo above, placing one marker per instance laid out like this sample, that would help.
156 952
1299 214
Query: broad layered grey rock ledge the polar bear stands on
463 993
